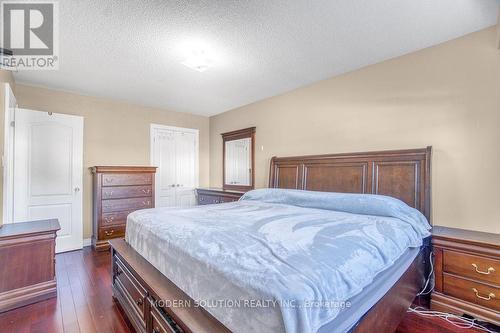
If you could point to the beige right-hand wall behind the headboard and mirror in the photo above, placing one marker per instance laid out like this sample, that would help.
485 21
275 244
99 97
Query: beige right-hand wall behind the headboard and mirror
447 96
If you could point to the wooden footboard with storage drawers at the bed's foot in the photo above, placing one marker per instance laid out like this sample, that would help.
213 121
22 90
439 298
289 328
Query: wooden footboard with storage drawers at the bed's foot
157 316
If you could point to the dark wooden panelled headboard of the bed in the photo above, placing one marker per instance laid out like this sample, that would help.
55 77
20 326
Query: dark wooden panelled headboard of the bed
403 174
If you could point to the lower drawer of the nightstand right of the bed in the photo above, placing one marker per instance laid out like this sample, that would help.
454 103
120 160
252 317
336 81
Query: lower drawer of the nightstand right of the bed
472 291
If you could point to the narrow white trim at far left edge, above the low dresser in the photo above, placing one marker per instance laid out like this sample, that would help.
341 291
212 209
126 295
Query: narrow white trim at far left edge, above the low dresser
8 155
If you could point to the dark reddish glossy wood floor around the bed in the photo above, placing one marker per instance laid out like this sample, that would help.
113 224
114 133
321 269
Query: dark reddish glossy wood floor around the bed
84 303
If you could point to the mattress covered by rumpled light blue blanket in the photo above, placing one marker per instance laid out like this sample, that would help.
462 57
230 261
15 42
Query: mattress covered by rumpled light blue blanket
279 260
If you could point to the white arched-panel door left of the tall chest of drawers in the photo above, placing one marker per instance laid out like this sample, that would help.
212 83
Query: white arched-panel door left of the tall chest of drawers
48 172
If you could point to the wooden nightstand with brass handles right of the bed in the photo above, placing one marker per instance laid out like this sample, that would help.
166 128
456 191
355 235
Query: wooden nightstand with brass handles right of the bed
467 273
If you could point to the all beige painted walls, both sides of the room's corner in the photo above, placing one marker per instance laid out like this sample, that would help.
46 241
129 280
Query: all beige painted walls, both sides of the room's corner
447 96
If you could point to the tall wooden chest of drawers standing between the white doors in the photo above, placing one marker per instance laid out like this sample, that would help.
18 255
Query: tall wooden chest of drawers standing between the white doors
118 191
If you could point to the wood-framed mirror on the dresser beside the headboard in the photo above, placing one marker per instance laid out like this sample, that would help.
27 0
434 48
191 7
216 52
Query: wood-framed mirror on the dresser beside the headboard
238 149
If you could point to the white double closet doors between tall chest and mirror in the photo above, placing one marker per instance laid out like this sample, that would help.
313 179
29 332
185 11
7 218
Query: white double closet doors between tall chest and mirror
175 152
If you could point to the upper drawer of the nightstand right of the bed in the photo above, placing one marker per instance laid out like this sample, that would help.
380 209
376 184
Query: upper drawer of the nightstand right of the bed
474 267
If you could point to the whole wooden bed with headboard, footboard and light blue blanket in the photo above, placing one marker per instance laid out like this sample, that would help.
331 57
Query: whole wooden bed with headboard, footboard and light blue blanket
173 257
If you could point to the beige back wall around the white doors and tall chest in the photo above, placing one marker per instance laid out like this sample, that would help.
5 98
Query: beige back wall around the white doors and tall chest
114 133
